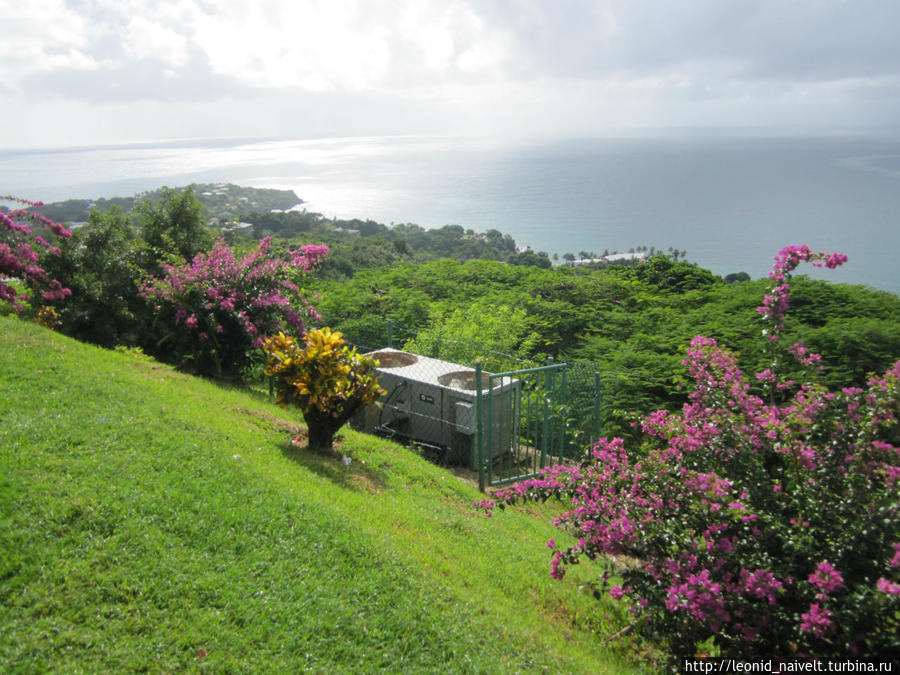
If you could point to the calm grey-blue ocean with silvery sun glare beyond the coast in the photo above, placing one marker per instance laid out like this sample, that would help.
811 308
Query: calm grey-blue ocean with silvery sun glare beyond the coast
731 200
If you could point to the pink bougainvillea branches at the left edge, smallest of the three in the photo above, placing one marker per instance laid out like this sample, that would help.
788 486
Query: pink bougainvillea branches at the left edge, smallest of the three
18 258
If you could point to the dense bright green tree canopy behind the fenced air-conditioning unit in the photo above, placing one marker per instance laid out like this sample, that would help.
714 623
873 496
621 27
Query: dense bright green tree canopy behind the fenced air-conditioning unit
629 324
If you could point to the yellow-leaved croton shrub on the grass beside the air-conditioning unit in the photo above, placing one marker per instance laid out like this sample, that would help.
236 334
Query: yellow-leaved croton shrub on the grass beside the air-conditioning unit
324 377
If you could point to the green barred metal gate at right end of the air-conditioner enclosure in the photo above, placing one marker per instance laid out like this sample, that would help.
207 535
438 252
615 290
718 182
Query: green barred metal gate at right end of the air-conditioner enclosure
520 422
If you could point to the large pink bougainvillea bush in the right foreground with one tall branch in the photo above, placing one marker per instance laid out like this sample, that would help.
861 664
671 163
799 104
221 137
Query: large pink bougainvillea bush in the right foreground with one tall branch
742 525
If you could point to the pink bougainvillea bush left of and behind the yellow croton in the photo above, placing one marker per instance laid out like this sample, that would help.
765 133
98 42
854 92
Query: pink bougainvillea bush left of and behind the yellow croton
216 309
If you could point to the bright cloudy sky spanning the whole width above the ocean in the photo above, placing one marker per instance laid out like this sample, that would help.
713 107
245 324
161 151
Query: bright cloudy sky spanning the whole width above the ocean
78 72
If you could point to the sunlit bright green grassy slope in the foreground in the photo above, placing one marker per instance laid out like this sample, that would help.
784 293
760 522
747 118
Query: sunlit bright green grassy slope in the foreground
156 522
